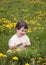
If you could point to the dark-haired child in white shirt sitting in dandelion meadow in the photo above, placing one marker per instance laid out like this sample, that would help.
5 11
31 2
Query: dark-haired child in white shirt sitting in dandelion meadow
20 40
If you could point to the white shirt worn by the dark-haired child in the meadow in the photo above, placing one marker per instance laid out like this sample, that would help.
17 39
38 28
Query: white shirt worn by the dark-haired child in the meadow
15 40
